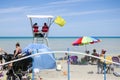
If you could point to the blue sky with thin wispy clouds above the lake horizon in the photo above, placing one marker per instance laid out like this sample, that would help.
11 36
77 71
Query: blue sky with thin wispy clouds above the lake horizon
83 17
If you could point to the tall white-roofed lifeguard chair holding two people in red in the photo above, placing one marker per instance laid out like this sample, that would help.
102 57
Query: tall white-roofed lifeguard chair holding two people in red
42 37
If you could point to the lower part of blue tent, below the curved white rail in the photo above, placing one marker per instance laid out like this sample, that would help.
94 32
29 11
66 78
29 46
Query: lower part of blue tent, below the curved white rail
44 61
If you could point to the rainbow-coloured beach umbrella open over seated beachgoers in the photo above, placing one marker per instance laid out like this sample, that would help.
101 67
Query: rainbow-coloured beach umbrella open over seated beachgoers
85 40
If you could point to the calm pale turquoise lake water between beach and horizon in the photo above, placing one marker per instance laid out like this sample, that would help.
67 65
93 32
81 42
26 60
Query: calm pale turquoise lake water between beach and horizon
111 45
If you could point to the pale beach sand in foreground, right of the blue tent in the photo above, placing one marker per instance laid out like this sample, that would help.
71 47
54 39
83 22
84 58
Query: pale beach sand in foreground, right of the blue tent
77 72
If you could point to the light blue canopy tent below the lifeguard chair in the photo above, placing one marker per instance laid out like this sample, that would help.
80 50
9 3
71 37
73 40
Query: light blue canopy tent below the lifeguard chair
42 61
